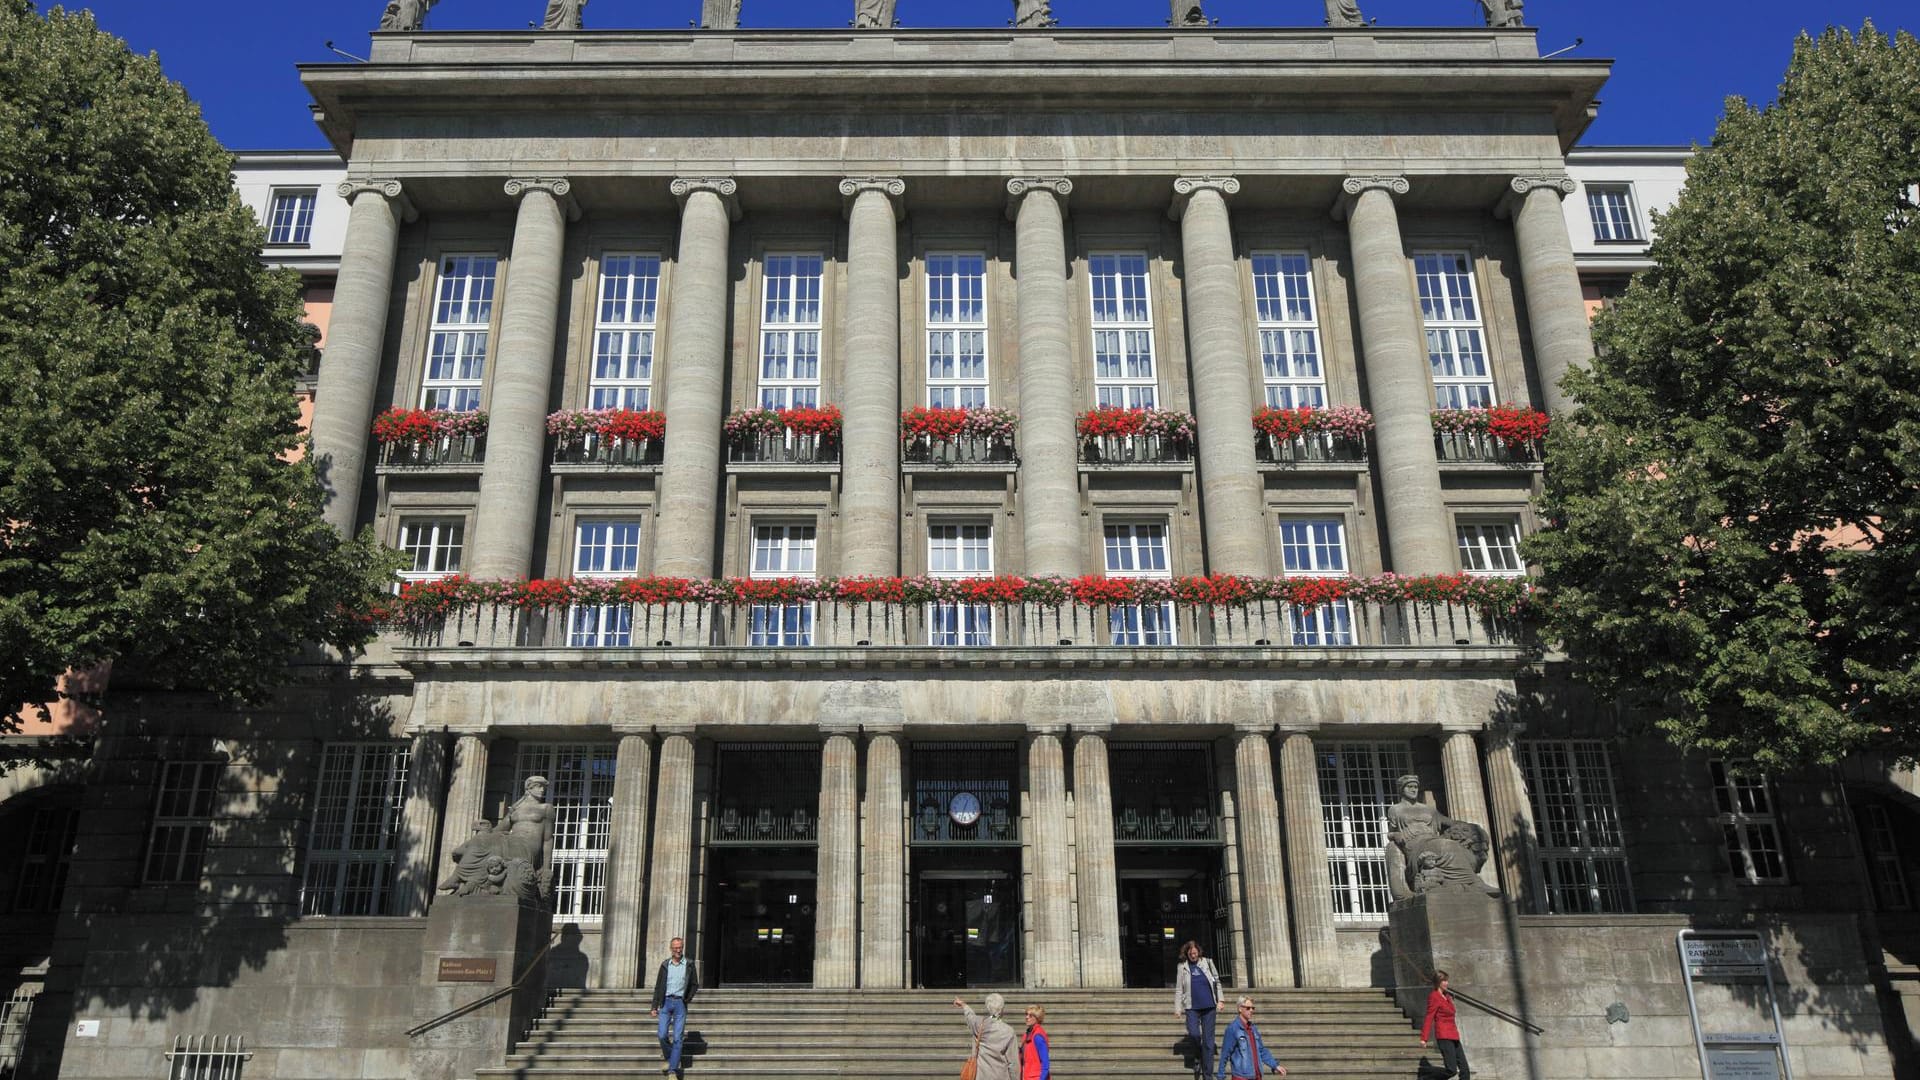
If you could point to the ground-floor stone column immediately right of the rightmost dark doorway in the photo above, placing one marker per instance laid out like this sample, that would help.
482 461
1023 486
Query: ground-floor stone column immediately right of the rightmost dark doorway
1270 954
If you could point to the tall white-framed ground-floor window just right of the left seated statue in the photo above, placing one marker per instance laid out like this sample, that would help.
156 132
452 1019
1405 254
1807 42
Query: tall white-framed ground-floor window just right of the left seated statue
581 806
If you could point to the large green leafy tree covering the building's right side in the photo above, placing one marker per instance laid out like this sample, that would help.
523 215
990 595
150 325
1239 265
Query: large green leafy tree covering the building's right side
1735 514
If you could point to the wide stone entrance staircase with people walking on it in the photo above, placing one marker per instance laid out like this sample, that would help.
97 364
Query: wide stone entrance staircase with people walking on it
917 1035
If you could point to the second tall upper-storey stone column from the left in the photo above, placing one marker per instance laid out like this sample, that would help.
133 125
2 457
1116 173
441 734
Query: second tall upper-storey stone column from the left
523 376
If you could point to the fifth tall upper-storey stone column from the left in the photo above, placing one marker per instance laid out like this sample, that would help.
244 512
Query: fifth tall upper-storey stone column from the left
1049 454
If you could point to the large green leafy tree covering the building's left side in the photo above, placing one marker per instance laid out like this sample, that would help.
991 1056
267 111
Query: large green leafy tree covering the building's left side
149 510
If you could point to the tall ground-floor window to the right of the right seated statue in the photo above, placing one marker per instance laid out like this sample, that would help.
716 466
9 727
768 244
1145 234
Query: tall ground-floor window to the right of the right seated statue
1583 854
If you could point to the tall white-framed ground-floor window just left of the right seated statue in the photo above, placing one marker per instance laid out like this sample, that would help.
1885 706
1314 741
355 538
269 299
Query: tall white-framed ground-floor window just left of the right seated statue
1356 787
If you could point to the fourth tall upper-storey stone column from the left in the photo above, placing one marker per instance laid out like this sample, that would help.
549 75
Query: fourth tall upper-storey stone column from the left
871 395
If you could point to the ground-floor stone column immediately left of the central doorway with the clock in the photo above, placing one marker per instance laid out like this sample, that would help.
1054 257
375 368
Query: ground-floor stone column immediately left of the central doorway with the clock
884 870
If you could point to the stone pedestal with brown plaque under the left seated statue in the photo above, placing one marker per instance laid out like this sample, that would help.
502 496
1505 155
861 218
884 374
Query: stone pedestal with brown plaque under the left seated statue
475 950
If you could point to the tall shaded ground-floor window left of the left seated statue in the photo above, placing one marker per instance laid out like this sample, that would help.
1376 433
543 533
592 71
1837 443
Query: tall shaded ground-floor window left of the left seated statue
356 822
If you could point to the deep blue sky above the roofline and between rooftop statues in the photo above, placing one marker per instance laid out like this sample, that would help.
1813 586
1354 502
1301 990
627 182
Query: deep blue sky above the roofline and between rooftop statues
1677 61
